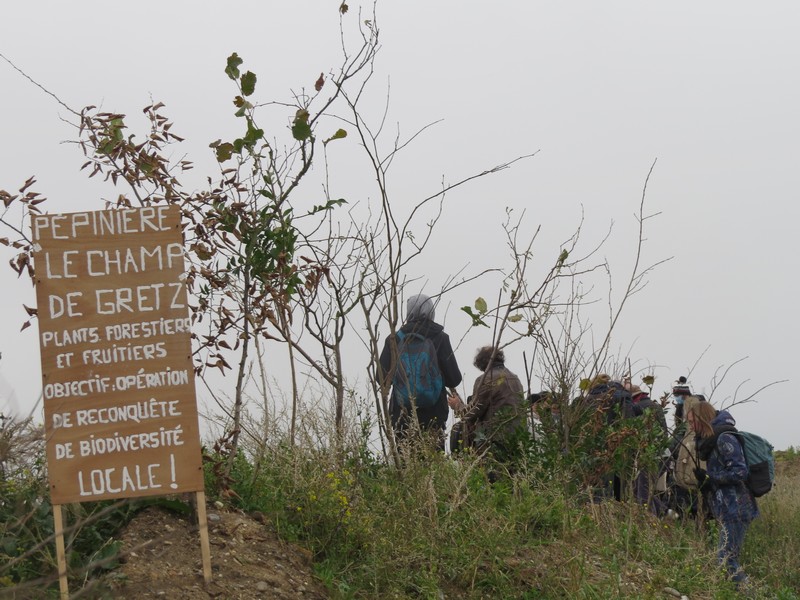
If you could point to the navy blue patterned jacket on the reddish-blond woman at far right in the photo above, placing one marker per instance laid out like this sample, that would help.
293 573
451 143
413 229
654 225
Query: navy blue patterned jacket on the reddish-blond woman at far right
726 467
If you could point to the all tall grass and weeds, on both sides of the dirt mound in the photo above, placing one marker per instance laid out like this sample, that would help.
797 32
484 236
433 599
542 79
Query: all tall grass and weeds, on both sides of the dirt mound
436 527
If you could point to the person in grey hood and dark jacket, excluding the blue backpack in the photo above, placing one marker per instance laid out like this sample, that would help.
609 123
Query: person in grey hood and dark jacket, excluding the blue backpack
420 314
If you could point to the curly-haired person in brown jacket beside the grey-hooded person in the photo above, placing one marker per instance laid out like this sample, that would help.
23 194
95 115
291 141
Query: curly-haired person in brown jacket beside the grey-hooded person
495 418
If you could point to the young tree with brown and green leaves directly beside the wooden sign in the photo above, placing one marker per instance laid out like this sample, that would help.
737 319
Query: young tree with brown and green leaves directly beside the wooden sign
241 232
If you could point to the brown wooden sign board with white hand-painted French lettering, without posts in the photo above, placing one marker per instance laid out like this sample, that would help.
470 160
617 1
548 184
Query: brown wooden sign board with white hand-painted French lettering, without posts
114 331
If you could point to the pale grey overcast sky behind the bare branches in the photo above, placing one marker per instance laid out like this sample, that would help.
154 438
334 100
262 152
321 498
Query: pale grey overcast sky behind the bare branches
600 89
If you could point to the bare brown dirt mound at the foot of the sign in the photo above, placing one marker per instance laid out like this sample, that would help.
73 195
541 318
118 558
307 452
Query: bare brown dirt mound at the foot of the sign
162 559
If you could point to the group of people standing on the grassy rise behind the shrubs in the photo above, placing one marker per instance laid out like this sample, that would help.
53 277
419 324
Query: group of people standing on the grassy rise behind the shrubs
703 460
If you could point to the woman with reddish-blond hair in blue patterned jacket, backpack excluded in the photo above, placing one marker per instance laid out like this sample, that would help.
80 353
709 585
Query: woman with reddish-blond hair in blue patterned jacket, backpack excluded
725 475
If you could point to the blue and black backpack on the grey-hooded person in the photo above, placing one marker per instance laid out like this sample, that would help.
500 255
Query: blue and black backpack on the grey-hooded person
417 379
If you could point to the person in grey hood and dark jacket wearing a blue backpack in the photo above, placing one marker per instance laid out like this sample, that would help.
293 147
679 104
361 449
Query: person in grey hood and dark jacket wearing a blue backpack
419 356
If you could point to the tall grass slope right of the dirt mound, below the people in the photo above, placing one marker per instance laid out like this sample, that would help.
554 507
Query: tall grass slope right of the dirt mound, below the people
437 528
